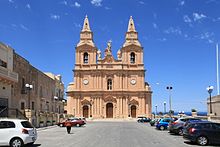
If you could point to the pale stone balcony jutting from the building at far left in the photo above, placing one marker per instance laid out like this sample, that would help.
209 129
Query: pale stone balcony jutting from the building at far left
8 76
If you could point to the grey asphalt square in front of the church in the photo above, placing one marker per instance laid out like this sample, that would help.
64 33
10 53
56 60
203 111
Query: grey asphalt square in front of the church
109 134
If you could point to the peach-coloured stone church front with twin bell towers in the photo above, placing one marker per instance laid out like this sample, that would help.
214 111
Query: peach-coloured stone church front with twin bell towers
105 87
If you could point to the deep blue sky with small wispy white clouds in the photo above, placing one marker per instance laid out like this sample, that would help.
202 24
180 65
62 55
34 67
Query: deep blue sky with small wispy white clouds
178 36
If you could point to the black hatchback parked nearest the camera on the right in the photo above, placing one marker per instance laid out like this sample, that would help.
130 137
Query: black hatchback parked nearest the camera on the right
202 133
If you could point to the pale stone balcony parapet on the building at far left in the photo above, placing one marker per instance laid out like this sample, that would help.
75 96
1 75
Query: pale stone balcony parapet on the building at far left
10 75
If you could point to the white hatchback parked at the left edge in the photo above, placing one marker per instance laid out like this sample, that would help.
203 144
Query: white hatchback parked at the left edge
16 132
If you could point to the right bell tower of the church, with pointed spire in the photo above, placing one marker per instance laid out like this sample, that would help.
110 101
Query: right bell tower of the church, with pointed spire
132 51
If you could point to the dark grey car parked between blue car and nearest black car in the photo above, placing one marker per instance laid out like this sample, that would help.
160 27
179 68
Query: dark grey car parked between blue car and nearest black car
177 126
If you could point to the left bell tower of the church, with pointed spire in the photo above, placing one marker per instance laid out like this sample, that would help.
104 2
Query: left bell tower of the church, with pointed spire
85 49
